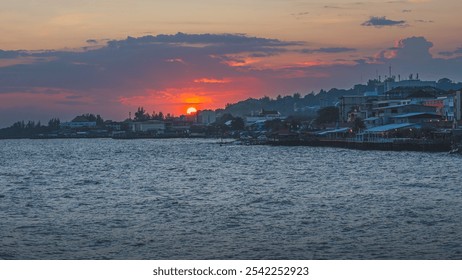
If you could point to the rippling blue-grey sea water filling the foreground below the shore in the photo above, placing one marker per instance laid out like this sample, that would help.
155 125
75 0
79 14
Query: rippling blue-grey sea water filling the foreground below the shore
196 199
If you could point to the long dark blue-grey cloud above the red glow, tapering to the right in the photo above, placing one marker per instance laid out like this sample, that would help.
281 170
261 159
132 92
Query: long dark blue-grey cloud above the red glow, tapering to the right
122 62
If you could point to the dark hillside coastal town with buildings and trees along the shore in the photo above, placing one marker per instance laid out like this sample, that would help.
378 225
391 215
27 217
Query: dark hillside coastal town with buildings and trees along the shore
394 114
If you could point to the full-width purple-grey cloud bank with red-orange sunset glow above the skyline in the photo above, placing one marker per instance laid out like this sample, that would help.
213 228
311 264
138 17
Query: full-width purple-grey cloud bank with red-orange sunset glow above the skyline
168 73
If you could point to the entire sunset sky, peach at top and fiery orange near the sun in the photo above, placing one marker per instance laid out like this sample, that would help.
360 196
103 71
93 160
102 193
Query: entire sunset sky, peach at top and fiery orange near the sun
62 58
